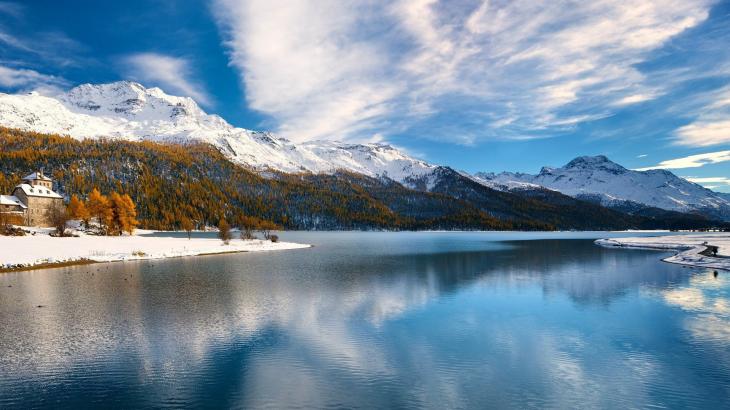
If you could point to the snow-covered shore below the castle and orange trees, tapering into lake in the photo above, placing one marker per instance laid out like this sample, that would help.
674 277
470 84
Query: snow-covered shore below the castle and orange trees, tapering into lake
42 249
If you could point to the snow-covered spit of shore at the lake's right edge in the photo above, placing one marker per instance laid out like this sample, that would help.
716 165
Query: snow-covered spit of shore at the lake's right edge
689 247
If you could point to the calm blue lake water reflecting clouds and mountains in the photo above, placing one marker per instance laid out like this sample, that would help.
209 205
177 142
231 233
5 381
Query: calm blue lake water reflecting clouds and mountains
372 320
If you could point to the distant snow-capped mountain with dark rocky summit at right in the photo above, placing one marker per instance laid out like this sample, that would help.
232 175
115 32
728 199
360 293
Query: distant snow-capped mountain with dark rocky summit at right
601 180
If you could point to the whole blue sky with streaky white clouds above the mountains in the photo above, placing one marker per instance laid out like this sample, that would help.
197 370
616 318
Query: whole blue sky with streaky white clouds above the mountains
479 85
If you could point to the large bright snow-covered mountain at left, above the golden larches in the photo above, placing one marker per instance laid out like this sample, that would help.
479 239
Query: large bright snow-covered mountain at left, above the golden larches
130 111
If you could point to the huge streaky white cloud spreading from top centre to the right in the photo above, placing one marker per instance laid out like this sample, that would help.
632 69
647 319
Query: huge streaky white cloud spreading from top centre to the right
346 69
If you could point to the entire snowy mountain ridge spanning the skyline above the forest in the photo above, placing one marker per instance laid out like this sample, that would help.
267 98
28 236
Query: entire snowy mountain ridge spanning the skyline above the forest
129 111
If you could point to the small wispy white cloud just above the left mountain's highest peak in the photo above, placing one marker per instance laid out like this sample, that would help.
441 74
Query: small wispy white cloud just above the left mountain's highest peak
173 74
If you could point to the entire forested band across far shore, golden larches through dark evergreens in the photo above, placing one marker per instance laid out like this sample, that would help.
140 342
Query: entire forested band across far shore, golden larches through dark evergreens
177 184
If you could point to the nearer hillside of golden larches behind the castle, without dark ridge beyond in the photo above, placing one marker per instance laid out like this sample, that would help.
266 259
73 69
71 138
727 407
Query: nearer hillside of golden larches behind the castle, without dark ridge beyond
168 181
